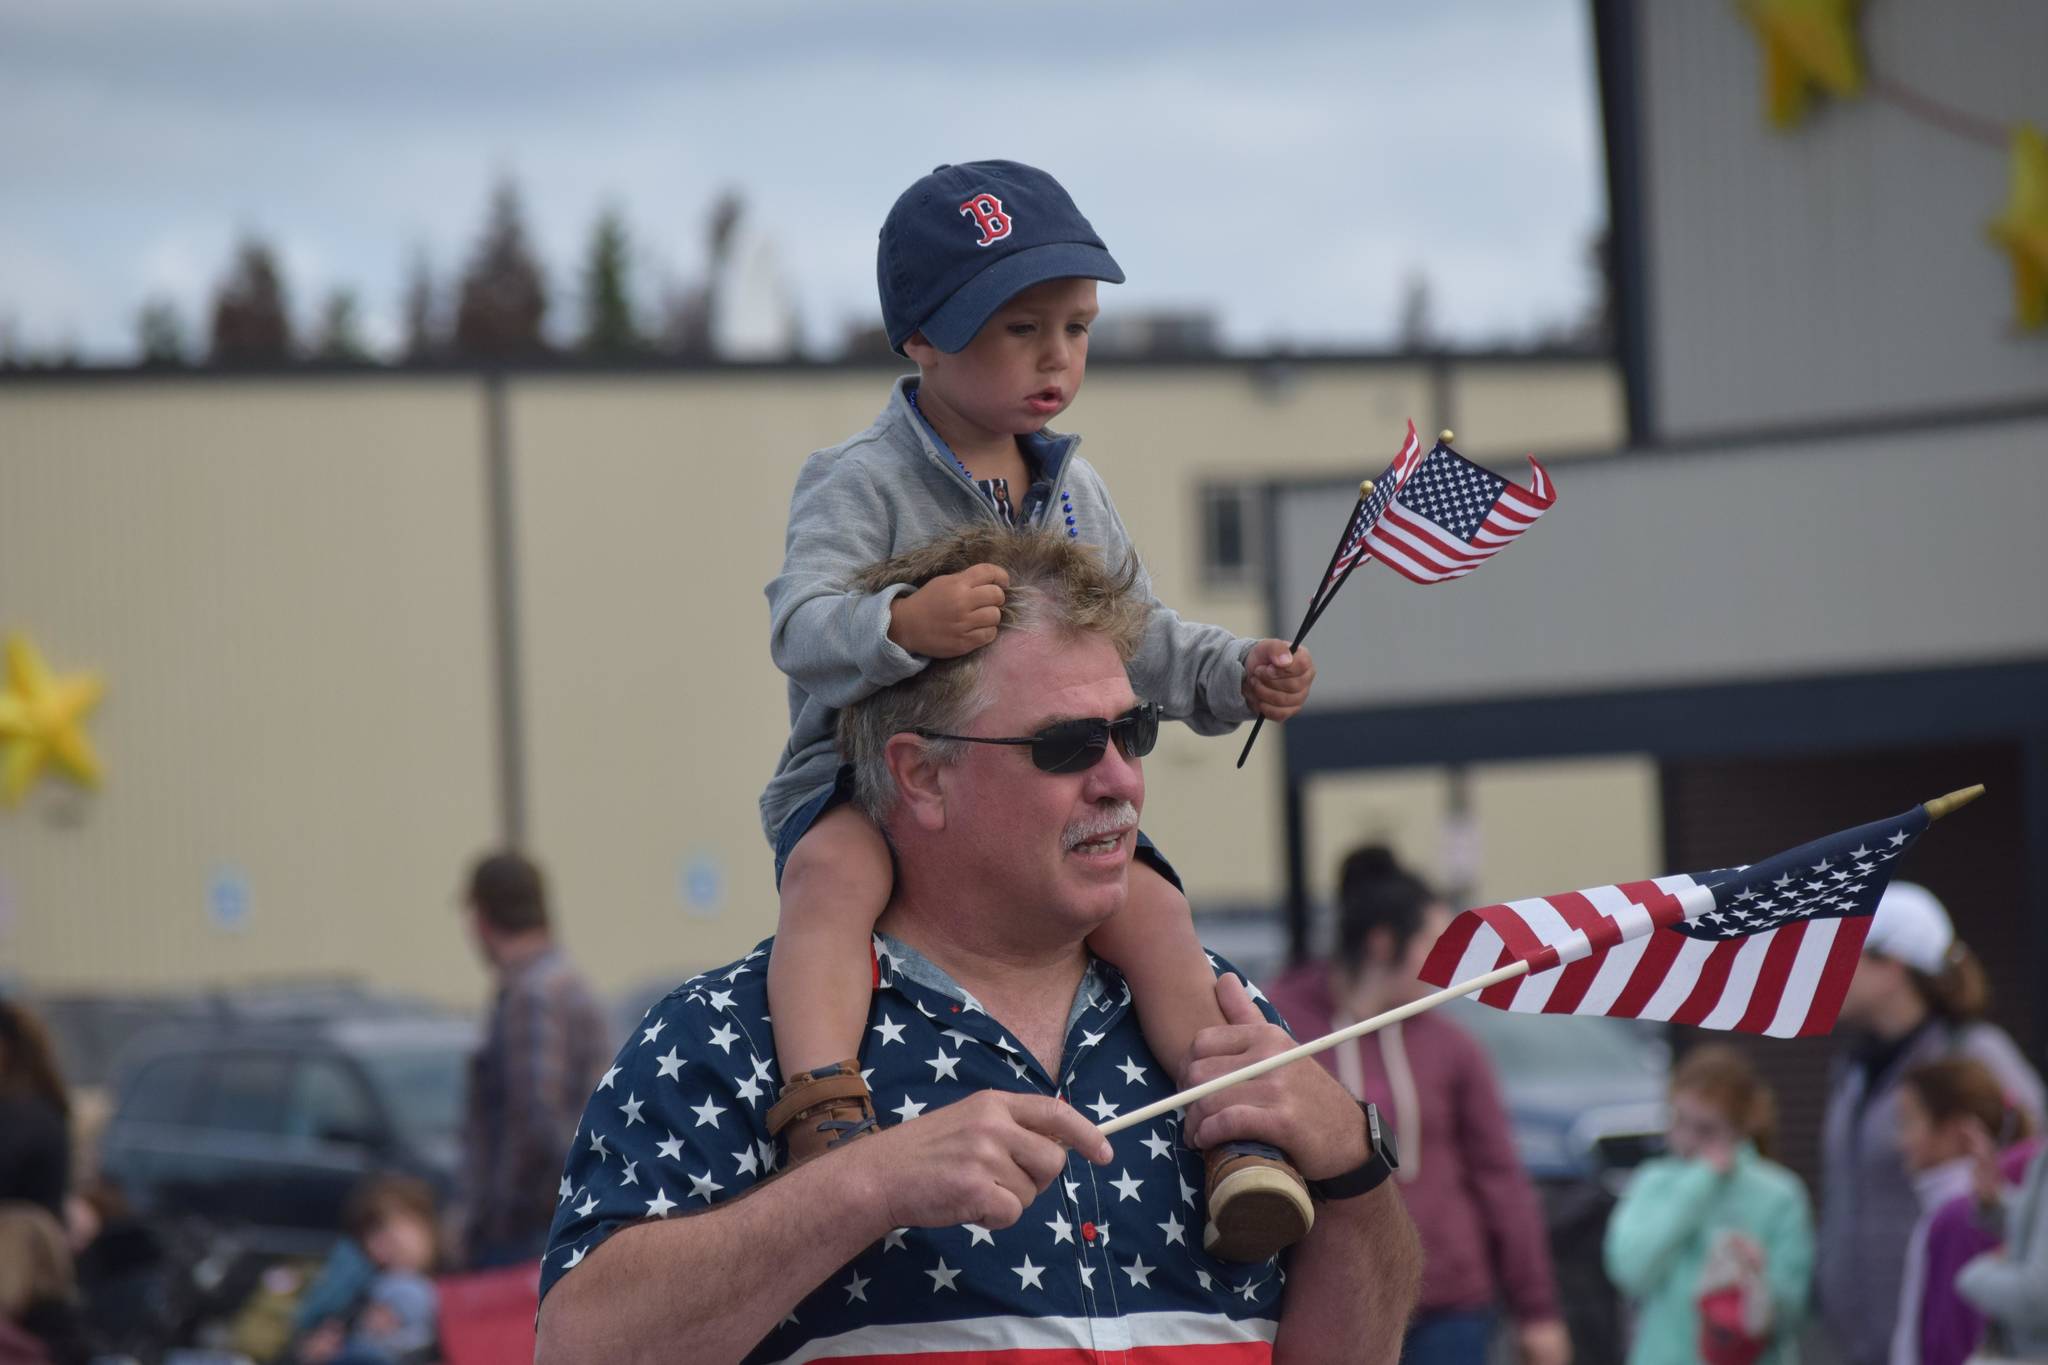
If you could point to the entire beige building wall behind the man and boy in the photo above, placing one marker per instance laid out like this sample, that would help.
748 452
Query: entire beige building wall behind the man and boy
288 586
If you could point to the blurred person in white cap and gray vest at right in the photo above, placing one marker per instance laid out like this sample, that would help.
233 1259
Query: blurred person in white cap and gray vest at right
1918 996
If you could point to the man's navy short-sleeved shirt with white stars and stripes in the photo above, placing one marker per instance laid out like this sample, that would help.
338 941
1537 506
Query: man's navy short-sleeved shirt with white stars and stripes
1107 1266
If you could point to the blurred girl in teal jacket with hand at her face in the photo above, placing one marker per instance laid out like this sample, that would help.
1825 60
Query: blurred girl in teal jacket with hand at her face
1715 1243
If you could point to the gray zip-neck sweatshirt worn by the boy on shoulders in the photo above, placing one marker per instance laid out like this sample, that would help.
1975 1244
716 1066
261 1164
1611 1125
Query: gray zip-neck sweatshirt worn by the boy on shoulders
888 490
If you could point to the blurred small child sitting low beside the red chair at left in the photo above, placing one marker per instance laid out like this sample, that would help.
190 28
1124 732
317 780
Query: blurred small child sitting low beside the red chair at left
394 1321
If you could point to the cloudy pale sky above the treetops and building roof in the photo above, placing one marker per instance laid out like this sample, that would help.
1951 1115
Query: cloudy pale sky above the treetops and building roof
1283 165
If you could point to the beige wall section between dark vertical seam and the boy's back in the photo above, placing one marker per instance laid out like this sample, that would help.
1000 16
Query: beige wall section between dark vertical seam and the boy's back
650 521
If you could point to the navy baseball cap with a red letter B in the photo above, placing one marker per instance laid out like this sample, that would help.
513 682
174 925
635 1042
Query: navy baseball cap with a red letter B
970 238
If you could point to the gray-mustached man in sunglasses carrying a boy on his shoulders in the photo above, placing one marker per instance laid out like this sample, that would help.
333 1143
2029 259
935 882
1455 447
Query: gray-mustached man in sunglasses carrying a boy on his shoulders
988 1217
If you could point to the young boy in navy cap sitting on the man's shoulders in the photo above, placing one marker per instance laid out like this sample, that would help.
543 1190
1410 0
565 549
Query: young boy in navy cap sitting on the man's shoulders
988 283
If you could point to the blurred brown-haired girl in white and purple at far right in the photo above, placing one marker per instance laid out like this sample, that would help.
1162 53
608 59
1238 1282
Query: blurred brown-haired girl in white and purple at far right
1949 1112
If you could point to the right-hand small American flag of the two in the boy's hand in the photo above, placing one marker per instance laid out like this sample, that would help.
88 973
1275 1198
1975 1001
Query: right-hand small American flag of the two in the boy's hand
1455 517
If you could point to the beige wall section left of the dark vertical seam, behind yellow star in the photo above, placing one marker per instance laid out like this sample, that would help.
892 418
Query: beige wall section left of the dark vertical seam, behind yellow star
284 586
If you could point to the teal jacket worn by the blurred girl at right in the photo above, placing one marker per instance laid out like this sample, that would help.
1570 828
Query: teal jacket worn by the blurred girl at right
1662 1231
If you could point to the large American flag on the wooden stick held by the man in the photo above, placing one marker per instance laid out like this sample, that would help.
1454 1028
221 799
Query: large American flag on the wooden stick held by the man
1764 949
